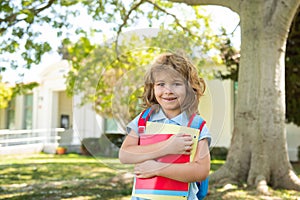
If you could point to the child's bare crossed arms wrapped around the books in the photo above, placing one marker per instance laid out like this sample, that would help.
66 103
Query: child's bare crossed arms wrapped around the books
146 166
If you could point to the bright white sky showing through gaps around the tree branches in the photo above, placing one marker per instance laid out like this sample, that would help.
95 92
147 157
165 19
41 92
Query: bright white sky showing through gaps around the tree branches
220 17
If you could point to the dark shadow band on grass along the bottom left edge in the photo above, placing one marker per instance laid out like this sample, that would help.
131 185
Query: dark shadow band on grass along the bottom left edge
67 190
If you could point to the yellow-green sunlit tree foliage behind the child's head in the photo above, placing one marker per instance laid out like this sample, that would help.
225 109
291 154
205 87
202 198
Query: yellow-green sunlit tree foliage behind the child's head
110 75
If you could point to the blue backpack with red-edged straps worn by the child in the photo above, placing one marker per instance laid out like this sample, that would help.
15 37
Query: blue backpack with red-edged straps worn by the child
195 122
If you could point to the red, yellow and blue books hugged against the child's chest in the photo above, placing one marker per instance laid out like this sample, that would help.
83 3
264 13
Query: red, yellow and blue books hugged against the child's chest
161 187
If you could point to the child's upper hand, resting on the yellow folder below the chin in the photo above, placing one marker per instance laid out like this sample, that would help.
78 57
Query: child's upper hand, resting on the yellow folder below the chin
179 144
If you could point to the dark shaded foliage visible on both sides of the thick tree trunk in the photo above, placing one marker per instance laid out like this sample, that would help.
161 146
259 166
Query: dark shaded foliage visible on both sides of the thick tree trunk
230 58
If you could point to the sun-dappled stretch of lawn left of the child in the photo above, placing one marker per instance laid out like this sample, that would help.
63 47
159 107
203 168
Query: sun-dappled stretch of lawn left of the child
59 177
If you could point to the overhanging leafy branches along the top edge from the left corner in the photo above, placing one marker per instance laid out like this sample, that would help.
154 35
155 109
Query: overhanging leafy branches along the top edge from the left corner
22 22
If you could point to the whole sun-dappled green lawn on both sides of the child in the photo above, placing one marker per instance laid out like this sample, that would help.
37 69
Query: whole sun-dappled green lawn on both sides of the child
72 176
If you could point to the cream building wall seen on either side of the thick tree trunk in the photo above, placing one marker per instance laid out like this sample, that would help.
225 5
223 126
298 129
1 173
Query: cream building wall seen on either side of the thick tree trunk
217 107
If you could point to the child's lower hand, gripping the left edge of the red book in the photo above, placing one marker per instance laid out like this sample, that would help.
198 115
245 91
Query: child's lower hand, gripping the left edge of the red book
147 169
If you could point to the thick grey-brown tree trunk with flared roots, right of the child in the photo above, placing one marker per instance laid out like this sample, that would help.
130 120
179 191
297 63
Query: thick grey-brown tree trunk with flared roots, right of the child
258 152
